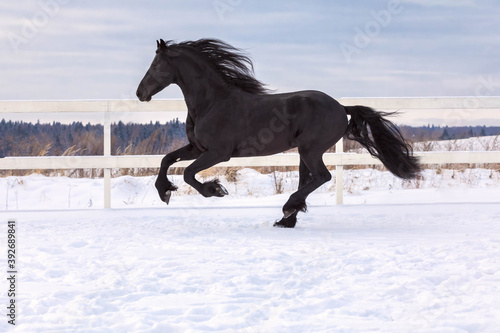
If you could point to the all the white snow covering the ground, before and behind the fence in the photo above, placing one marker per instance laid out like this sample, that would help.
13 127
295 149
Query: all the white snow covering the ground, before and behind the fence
417 256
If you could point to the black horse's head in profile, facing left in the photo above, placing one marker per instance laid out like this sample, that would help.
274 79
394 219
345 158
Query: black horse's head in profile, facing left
160 74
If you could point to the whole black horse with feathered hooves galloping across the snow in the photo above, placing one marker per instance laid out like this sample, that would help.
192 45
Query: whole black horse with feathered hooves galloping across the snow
231 114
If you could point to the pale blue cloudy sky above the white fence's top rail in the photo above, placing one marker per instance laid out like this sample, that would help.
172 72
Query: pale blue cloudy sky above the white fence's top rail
76 49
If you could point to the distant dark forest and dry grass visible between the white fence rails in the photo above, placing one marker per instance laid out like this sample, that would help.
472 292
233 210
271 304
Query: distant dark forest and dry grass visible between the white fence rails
56 139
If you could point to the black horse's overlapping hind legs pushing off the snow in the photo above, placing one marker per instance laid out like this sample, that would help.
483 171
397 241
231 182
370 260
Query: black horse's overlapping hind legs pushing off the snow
316 176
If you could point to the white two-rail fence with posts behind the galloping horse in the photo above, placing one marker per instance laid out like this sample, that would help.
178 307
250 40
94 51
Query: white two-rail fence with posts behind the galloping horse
339 159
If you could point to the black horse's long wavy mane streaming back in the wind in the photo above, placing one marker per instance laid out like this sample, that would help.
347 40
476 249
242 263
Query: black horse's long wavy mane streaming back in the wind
235 67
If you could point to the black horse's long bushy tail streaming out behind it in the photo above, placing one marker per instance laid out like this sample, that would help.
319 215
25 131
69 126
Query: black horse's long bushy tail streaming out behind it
382 139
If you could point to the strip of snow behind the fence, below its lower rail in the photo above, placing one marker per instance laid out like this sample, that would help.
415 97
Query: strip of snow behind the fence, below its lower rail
364 186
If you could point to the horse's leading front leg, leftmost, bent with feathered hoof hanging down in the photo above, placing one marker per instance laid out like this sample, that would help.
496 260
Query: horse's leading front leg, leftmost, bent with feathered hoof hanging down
162 184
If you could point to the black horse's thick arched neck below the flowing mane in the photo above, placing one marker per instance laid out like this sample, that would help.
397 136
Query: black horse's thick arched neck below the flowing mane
201 85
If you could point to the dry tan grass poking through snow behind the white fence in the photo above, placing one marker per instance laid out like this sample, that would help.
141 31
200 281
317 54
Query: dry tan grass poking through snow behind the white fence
91 145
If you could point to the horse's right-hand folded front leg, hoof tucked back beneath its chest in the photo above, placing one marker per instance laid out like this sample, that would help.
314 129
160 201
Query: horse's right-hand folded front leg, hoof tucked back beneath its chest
206 160
